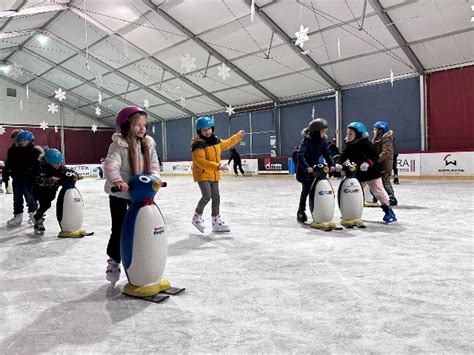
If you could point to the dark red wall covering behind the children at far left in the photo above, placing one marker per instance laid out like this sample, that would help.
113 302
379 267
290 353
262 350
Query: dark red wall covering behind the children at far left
82 146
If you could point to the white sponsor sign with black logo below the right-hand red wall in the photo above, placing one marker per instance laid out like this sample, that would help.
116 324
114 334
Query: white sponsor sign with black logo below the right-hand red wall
447 164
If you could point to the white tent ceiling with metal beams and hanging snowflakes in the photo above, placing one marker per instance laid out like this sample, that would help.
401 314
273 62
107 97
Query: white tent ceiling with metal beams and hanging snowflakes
132 50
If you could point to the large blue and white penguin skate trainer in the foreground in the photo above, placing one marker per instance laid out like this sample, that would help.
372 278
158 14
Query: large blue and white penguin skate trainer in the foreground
144 245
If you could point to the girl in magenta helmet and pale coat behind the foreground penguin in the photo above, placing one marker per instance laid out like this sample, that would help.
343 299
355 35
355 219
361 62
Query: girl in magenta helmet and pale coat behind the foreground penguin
131 152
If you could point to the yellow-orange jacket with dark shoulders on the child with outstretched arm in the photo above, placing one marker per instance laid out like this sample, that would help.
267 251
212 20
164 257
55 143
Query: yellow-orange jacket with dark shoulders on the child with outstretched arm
207 158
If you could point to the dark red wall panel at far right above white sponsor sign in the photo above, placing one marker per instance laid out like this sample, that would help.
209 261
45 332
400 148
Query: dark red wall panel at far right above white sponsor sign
450 109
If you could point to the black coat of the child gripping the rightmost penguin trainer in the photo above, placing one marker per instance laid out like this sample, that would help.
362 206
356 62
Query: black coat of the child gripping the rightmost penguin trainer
362 151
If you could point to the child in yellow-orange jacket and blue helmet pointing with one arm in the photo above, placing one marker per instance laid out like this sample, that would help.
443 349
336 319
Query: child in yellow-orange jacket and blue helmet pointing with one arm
206 152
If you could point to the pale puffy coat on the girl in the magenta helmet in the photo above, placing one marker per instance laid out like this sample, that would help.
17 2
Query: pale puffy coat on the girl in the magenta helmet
117 164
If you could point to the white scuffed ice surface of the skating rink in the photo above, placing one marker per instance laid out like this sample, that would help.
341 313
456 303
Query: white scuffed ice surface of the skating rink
269 286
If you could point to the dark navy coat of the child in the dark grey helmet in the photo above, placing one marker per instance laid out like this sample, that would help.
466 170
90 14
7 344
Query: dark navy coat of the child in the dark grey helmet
311 149
